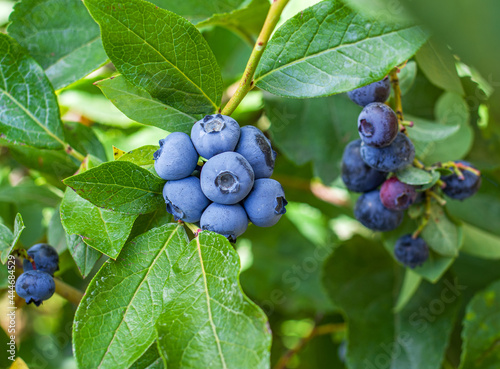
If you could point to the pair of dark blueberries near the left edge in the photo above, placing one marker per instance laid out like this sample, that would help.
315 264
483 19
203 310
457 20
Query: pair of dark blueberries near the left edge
36 284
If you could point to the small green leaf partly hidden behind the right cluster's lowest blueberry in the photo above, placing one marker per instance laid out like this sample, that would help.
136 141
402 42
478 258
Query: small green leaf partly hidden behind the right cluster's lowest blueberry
434 268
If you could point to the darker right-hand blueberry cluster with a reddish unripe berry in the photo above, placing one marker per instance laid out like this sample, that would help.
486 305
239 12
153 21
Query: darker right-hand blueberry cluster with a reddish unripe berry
367 163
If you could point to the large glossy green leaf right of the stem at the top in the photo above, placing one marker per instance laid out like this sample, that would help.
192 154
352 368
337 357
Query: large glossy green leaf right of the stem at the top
328 48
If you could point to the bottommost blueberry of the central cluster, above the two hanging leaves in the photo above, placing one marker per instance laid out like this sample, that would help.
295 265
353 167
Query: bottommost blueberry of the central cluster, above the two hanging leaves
230 221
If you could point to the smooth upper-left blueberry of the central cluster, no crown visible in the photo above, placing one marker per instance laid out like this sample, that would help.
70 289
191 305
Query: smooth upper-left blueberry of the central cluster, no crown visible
176 158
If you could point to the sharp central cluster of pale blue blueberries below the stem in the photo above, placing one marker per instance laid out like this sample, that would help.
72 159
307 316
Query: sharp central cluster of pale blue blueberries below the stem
231 188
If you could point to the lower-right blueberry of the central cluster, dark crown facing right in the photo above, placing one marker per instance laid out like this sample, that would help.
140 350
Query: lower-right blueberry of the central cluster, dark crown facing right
266 202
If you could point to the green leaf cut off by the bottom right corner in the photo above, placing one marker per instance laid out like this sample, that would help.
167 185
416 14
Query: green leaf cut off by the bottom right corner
481 333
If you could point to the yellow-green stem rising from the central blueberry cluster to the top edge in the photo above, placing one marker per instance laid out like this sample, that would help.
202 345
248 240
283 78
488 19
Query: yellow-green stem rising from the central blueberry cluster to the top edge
246 82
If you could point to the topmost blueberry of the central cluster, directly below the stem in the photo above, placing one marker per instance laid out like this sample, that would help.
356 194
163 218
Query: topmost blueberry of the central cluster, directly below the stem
215 134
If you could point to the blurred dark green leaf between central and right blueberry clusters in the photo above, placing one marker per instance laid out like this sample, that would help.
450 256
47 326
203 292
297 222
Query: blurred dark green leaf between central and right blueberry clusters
314 130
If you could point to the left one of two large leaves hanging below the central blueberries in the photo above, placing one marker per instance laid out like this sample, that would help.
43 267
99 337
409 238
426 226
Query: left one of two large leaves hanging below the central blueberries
128 294
